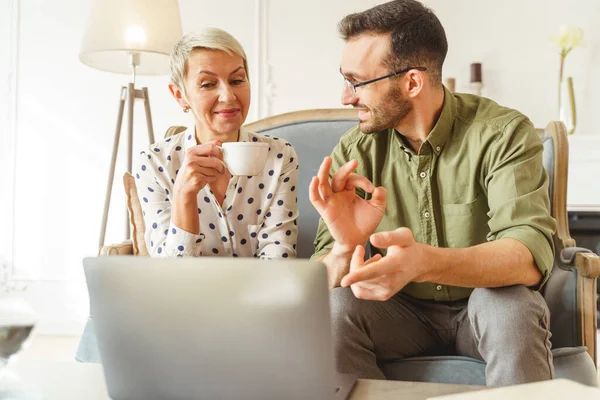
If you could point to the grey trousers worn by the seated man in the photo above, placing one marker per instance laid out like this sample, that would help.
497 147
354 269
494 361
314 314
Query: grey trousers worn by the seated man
507 327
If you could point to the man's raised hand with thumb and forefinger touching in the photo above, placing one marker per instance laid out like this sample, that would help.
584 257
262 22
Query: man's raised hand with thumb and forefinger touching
349 218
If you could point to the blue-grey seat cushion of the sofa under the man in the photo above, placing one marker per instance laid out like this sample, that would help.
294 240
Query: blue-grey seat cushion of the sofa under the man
570 363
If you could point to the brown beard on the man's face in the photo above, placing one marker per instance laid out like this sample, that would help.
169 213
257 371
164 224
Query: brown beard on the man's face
388 114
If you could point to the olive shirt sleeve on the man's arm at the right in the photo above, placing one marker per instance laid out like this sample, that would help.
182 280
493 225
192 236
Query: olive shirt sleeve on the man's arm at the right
517 186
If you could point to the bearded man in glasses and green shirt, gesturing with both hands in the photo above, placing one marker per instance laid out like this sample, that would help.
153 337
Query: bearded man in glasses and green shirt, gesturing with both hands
451 193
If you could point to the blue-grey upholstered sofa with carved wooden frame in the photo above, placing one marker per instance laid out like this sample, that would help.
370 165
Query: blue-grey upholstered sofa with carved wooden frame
570 292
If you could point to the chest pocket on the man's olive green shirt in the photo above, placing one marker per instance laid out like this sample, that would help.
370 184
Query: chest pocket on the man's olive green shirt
465 224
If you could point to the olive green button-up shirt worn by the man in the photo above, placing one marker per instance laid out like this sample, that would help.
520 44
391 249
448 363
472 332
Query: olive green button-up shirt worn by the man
478 177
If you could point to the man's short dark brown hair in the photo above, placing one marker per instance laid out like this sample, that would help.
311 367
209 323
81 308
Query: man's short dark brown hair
418 38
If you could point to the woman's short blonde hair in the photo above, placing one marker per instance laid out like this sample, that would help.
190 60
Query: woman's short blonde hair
208 38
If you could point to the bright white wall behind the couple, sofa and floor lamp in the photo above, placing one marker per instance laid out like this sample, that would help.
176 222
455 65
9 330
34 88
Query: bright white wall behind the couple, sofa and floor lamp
67 111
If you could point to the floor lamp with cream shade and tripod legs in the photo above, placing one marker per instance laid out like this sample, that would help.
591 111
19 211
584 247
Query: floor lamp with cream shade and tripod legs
129 37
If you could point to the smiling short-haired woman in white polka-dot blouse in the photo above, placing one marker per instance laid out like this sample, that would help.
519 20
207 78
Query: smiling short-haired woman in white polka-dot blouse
192 205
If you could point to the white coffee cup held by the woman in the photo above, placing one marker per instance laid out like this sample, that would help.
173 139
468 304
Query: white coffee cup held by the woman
245 158
